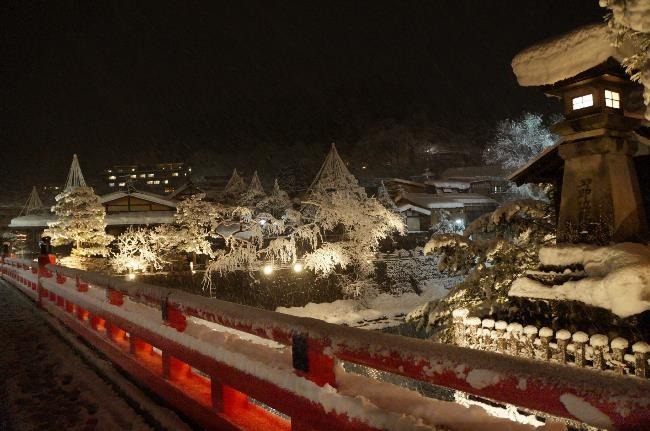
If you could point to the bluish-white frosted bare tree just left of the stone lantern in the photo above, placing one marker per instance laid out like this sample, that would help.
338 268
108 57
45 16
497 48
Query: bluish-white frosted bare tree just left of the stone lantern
518 141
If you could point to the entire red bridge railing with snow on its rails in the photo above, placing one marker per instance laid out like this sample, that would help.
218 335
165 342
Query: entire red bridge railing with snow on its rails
184 348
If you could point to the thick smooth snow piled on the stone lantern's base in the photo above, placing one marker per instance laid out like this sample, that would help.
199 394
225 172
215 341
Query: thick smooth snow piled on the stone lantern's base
618 277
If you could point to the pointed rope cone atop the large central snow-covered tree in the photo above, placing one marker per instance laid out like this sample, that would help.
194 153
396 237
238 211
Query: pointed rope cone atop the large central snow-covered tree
334 176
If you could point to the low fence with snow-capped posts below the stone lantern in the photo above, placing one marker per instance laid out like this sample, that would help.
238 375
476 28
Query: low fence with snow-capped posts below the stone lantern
596 351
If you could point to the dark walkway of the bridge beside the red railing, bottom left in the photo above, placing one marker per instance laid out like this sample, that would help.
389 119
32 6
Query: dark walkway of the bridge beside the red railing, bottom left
45 385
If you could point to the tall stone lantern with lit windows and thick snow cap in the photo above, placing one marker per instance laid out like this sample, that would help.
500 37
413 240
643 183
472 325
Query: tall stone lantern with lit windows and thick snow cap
601 200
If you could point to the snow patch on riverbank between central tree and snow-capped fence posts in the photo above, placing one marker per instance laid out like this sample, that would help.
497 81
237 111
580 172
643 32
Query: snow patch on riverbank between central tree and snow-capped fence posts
382 311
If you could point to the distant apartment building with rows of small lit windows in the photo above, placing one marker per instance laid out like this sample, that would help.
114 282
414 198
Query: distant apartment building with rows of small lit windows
161 178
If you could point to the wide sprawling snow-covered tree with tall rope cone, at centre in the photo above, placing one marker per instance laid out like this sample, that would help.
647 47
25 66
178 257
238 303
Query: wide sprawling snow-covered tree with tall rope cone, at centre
338 227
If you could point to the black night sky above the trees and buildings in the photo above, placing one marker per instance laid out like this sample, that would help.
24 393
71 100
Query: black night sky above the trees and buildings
253 82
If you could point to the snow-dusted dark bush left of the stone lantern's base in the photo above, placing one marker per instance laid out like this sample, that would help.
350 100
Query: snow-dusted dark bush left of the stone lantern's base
496 249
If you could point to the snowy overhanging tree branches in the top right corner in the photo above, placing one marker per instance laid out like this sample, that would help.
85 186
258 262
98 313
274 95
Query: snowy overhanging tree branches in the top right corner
629 22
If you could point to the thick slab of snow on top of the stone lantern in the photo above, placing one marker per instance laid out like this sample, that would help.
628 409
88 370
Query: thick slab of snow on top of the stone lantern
566 56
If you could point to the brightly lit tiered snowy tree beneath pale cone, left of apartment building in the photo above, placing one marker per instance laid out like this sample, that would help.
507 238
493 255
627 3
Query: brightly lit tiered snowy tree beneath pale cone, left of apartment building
80 221
